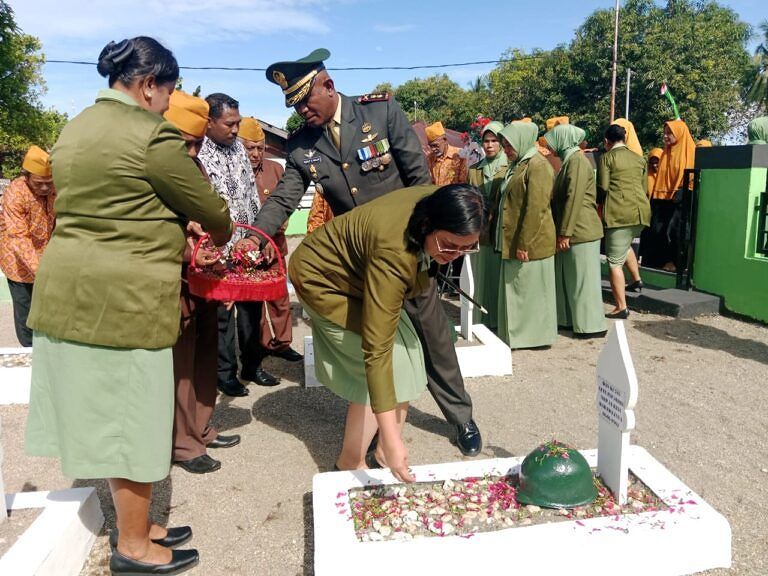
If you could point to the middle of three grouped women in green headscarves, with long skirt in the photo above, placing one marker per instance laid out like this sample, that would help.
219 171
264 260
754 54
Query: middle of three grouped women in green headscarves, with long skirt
527 316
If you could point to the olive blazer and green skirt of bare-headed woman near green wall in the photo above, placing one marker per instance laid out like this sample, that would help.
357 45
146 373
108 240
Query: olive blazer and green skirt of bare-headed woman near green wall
621 186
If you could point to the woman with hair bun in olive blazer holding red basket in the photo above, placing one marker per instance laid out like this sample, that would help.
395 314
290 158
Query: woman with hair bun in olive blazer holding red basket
105 309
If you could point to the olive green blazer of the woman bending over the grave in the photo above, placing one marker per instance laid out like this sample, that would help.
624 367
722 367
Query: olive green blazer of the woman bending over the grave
356 272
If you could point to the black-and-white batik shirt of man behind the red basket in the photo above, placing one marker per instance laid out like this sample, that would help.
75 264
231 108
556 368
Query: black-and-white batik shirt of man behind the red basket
232 176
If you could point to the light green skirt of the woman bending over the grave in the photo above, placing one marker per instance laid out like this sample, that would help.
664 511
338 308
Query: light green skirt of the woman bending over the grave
340 366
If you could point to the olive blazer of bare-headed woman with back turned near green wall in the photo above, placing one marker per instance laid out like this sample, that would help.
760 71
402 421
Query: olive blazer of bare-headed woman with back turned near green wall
622 182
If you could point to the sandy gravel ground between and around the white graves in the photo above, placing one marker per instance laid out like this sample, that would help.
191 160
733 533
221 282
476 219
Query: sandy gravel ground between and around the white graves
701 412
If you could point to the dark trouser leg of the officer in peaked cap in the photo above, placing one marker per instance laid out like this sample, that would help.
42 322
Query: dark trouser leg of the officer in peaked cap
444 379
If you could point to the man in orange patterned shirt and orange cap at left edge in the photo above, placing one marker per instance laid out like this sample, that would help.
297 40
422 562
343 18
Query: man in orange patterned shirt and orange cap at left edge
28 219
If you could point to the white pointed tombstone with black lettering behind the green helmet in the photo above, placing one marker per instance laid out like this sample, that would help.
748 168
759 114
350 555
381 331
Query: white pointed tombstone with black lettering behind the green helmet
616 399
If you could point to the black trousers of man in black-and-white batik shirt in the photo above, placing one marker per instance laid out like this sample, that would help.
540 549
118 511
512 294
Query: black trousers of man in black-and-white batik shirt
247 327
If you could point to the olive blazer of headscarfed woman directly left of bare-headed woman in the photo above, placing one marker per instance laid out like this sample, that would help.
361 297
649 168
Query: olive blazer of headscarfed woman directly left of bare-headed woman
574 202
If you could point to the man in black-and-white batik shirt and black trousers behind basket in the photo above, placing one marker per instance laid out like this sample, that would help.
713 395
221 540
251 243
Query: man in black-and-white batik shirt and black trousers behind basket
229 169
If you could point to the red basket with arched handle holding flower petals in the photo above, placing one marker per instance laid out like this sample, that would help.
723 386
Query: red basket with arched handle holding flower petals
205 285
